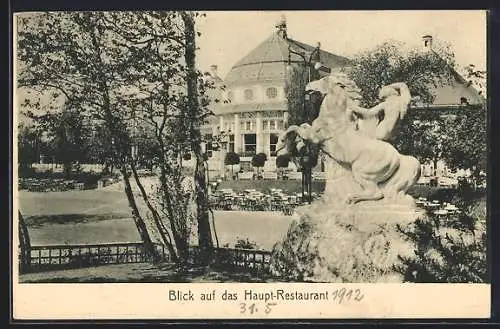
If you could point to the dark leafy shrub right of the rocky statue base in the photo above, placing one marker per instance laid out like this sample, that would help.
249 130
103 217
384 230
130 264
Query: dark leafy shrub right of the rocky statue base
453 250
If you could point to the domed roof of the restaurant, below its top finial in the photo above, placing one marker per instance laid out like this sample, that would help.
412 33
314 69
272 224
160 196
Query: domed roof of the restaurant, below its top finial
267 62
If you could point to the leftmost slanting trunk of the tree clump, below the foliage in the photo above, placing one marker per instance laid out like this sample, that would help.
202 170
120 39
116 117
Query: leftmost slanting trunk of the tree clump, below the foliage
149 247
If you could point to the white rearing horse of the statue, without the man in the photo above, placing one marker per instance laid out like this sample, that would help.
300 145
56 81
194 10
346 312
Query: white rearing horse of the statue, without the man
376 166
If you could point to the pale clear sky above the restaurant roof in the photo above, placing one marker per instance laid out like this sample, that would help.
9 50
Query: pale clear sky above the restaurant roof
227 36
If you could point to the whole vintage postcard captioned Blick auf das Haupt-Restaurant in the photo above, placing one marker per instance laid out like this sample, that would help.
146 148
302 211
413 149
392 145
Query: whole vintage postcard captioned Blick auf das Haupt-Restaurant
250 165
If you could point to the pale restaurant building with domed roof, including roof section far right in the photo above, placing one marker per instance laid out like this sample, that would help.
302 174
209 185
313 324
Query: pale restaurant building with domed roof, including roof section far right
254 113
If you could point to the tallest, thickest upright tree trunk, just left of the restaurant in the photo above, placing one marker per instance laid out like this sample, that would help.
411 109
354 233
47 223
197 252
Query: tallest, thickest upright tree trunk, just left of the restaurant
204 231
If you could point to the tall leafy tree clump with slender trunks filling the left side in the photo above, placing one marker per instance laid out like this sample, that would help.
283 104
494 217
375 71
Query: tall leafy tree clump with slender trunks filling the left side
127 71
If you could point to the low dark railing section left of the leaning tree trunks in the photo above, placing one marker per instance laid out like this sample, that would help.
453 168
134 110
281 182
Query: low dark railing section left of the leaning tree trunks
85 255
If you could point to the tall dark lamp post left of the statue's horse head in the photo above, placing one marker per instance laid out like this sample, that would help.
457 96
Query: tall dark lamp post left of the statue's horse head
306 158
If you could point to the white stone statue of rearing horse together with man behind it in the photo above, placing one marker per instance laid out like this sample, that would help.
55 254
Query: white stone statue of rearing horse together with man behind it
357 139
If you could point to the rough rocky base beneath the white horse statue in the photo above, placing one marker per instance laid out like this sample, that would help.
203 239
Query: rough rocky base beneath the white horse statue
335 242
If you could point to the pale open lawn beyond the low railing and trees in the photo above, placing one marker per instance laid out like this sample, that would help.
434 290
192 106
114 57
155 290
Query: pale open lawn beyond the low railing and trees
103 216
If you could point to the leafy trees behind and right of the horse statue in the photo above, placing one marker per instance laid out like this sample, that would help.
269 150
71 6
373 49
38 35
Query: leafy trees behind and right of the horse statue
458 137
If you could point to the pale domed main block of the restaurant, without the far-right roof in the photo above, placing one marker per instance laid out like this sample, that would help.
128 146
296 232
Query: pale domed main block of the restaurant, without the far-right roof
255 113
